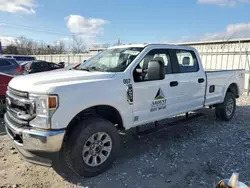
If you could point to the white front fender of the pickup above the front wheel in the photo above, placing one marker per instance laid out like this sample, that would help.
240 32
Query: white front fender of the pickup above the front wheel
89 95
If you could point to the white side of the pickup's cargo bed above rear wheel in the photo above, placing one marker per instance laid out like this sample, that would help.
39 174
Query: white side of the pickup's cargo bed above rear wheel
220 81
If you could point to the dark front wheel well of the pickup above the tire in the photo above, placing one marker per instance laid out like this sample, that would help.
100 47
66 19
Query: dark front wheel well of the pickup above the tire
104 111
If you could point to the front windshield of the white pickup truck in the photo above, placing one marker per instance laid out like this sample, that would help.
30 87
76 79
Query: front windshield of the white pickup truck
111 60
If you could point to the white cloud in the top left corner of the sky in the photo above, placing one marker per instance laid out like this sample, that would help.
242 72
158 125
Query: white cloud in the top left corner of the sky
18 6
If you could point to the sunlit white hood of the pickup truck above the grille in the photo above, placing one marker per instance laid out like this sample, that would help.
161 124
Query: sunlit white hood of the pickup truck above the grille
47 81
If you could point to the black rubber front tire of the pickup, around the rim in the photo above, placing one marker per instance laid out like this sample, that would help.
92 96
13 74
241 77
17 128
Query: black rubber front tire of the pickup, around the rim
73 146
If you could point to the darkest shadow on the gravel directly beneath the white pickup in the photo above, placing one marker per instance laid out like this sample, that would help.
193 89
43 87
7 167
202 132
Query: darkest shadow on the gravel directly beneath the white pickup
134 146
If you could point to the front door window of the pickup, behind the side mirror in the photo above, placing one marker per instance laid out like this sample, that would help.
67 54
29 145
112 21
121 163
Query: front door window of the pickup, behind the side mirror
140 72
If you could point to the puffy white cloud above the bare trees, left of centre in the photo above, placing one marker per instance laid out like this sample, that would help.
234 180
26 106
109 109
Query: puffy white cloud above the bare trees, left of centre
87 28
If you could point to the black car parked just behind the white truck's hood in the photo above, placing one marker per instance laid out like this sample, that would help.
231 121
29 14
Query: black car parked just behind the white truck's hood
40 66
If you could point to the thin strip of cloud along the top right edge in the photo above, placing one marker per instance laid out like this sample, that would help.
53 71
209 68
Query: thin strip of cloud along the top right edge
223 3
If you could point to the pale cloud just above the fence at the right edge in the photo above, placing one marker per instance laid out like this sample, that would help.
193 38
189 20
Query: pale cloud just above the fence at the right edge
240 30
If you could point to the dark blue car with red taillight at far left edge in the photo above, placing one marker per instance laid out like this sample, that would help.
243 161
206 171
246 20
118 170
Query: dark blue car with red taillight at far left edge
10 66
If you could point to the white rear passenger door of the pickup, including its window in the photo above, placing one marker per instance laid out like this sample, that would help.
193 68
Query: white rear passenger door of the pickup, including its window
188 82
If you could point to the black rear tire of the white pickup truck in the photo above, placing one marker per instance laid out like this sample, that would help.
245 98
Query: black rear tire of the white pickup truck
221 109
